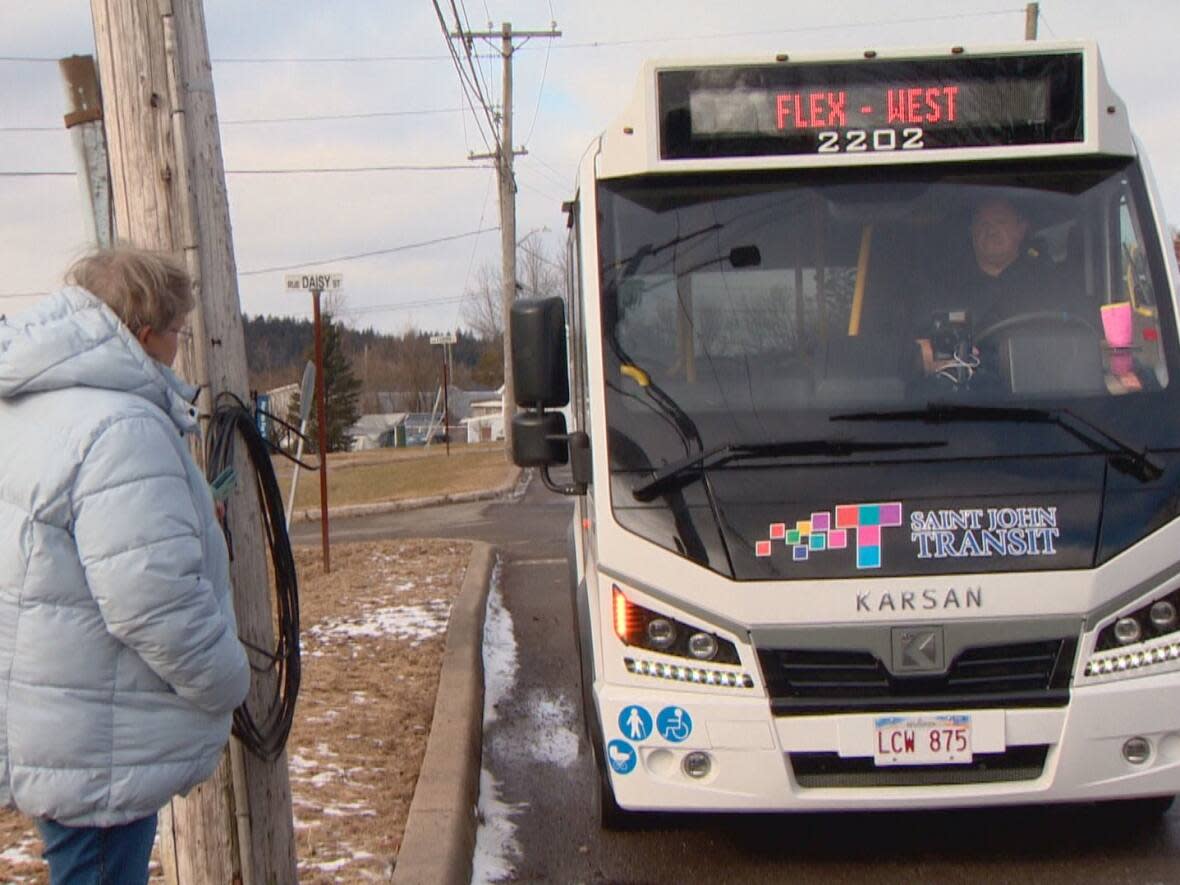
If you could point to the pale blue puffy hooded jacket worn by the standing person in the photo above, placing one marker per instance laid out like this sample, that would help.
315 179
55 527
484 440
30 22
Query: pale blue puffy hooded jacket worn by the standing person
120 659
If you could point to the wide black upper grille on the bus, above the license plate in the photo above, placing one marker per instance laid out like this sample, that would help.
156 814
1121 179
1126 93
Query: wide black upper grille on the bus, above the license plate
1027 674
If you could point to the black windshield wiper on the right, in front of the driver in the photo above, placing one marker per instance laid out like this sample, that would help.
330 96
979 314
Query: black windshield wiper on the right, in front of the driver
1123 457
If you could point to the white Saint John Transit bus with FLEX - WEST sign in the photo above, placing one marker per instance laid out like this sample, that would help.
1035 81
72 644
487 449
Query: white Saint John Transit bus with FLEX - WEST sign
875 443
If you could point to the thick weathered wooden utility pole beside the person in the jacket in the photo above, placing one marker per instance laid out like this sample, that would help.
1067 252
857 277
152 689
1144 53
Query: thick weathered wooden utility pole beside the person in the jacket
169 193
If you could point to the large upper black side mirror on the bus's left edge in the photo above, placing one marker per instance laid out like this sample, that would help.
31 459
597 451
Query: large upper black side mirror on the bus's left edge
540 375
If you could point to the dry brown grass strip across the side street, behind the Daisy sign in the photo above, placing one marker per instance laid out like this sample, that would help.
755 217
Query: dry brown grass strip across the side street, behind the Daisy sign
399 474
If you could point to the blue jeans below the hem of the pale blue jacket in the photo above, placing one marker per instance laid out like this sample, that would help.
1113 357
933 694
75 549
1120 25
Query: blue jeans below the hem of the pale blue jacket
99 856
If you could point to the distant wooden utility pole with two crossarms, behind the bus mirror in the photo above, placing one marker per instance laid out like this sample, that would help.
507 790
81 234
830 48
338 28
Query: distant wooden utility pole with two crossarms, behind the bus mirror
504 156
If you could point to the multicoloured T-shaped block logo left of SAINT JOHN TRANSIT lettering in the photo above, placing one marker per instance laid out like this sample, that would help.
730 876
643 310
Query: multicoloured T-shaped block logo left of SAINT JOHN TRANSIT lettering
863 522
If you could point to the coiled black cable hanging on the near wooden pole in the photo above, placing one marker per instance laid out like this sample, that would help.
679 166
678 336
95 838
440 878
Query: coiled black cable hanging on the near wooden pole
264 738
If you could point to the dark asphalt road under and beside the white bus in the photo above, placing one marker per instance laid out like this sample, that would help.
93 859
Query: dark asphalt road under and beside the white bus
552 792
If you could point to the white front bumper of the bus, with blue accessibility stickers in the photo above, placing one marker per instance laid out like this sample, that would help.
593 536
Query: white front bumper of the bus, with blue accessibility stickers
752 752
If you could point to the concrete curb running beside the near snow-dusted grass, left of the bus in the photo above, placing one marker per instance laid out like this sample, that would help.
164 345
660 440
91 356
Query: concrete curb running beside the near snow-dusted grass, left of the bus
441 832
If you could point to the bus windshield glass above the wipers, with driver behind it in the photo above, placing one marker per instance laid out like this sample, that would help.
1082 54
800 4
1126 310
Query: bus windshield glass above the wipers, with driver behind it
743 309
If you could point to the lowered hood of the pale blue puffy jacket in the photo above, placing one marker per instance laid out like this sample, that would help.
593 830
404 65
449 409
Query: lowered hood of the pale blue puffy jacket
73 339
